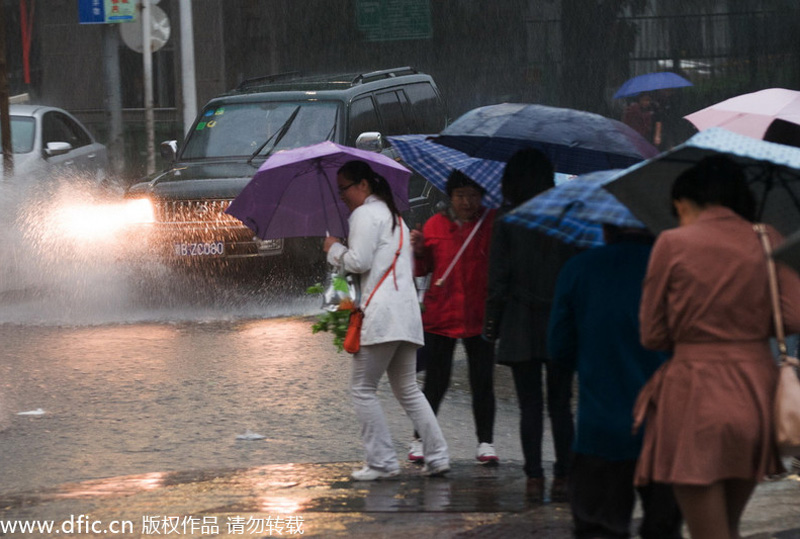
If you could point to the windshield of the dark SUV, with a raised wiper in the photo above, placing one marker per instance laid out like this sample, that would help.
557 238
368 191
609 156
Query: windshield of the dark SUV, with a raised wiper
238 130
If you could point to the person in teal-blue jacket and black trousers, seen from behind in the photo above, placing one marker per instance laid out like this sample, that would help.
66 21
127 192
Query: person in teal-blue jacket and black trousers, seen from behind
594 329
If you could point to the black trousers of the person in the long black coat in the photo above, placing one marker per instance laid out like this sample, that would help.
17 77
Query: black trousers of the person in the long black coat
530 397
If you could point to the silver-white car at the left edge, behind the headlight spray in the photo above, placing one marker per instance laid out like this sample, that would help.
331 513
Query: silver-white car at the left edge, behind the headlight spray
48 142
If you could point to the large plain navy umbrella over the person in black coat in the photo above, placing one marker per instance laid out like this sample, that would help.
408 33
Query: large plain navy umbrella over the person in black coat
575 141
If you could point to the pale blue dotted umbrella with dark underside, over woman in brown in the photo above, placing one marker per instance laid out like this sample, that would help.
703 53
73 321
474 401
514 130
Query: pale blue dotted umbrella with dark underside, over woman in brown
772 172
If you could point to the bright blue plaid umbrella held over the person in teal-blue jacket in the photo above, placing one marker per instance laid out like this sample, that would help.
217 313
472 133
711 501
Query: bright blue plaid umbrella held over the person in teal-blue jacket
575 211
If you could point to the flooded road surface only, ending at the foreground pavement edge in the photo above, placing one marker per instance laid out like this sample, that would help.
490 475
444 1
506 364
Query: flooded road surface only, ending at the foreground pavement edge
174 394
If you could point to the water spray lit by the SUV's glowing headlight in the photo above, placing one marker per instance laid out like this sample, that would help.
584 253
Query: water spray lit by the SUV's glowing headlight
69 261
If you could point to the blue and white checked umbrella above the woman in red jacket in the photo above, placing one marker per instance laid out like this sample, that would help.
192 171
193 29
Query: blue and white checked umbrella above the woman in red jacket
435 162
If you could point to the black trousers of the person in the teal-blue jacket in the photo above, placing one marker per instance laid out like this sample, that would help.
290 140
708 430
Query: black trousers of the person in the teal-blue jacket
602 497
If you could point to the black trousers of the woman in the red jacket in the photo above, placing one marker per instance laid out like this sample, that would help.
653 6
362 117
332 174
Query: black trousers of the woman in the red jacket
438 361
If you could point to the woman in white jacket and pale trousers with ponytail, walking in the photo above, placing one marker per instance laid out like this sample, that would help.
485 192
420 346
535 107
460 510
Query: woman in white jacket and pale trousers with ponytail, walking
392 326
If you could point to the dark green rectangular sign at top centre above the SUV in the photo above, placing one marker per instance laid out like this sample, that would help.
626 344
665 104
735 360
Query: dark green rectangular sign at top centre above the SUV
393 20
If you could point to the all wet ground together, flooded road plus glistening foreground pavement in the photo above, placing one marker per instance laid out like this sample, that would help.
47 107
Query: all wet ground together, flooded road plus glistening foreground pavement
142 419
